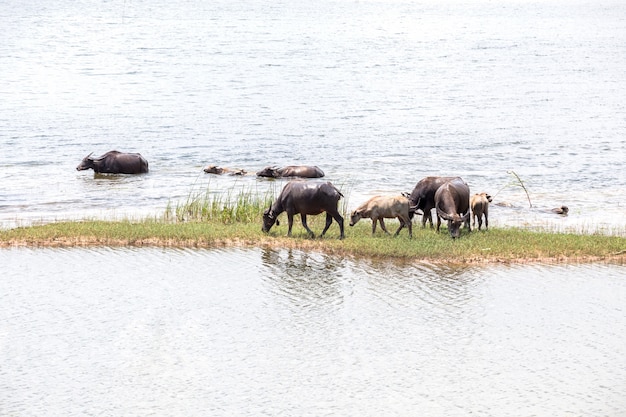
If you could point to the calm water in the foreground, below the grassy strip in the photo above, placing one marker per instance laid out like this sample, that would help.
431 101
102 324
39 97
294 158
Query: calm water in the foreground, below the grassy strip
271 332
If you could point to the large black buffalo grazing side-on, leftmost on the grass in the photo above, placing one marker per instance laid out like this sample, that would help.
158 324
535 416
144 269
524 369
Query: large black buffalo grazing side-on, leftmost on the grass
305 198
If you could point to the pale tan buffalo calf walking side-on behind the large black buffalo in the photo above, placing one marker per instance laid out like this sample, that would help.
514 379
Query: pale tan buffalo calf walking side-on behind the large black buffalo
379 207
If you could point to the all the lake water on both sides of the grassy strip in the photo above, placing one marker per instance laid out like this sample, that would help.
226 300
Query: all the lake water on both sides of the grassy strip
379 94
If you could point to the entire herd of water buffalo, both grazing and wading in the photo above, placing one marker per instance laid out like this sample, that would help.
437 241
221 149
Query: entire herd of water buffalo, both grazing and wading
450 196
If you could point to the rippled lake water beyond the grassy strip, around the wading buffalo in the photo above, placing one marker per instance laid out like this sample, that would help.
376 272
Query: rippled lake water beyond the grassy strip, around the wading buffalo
379 94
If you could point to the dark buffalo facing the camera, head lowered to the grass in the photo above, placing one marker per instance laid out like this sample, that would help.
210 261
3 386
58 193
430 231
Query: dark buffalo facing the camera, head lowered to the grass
452 204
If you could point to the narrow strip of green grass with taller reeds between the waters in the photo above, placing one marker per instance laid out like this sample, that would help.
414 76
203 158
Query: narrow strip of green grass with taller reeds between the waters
204 220
